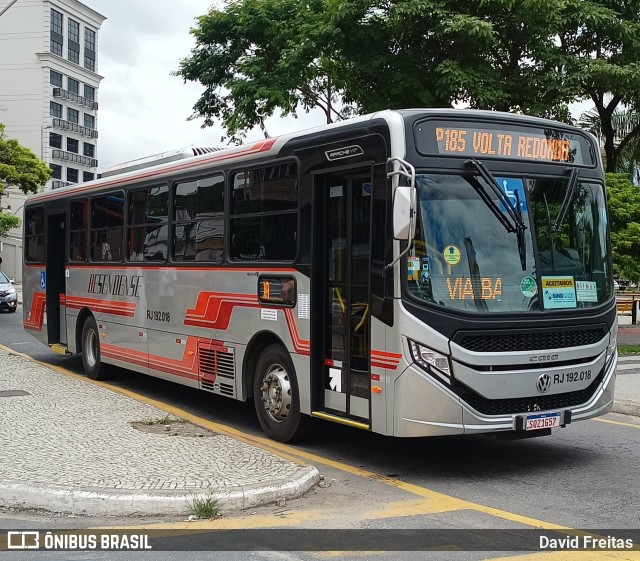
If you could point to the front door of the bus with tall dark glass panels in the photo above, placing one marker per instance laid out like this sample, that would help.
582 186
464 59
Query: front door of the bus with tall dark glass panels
345 237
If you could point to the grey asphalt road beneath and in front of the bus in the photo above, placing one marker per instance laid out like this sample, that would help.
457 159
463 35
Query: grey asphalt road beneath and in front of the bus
583 476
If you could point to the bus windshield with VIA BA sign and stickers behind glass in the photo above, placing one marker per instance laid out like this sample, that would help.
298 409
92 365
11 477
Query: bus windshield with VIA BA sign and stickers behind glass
548 252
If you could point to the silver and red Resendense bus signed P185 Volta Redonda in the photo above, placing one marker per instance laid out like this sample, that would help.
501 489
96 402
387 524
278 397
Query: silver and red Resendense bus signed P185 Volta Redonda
409 273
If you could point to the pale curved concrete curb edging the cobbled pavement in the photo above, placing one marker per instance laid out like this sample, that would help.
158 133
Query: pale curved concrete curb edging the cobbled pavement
97 502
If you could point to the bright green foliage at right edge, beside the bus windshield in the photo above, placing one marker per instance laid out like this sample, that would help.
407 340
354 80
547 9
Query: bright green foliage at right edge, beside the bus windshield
624 221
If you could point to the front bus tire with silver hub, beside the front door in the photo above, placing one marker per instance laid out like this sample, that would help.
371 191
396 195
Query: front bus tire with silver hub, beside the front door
276 396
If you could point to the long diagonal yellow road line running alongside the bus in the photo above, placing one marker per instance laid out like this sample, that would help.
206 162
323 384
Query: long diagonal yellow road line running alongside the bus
439 502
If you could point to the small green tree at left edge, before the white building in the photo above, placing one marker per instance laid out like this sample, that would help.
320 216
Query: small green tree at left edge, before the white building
21 168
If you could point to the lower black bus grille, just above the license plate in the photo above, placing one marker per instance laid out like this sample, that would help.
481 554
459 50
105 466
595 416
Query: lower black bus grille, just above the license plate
530 404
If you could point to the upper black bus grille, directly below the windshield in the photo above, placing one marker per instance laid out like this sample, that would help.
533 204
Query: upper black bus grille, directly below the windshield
529 341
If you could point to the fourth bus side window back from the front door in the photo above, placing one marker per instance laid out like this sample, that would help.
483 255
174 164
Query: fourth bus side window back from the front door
107 222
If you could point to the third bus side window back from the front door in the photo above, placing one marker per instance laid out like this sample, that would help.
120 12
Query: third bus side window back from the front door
147 232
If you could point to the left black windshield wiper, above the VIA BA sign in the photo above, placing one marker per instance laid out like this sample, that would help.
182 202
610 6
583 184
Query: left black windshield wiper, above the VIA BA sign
510 218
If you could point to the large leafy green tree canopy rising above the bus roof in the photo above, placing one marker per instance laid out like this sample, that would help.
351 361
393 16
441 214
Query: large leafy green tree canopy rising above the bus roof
254 57
